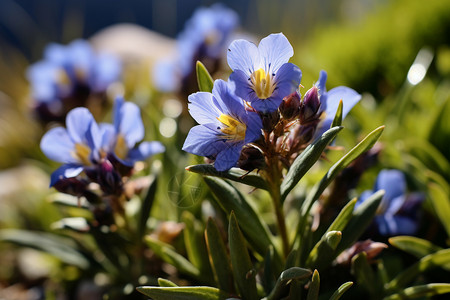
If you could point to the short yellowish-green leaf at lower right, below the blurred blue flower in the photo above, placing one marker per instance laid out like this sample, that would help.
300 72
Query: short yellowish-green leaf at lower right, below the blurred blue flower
413 245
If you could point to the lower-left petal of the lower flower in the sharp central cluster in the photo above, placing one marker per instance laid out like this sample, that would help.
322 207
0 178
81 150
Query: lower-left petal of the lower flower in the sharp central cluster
203 141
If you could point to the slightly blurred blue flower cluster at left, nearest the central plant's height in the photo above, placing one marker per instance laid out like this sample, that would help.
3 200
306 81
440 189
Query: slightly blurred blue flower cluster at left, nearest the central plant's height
103 153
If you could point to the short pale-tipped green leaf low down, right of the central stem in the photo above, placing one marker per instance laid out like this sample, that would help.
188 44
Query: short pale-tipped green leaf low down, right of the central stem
324 250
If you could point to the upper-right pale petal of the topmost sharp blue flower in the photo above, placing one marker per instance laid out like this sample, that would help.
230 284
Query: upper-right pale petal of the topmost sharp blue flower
275 50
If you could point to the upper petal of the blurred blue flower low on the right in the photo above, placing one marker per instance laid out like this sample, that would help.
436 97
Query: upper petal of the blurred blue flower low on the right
392 182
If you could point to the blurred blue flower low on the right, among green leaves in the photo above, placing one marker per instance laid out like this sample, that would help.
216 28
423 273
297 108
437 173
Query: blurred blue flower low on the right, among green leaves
398 211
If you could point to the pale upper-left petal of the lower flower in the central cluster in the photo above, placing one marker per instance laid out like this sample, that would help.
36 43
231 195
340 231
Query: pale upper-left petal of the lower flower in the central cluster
202 108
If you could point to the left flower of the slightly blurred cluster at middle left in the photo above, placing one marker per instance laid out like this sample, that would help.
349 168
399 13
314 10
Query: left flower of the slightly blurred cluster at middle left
75 146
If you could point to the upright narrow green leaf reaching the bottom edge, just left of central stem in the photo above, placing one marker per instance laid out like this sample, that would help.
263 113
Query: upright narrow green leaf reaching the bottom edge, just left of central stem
243 270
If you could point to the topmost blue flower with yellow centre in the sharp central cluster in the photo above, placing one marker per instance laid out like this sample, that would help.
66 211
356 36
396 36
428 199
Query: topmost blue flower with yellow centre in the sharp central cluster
262 73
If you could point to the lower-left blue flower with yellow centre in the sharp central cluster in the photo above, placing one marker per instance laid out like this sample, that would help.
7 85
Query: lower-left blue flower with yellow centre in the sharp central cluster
225 125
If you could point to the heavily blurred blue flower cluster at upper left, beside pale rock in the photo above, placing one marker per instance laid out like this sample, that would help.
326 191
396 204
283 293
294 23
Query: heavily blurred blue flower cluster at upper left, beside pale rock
71 76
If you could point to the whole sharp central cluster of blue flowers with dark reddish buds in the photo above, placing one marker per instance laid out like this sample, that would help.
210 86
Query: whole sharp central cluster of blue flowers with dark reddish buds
258 117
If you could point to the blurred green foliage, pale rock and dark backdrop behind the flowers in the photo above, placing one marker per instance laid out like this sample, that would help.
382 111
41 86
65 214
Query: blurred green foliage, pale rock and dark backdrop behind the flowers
370 46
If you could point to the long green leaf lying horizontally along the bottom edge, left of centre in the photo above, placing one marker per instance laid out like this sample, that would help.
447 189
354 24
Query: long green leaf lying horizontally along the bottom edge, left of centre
183 293
